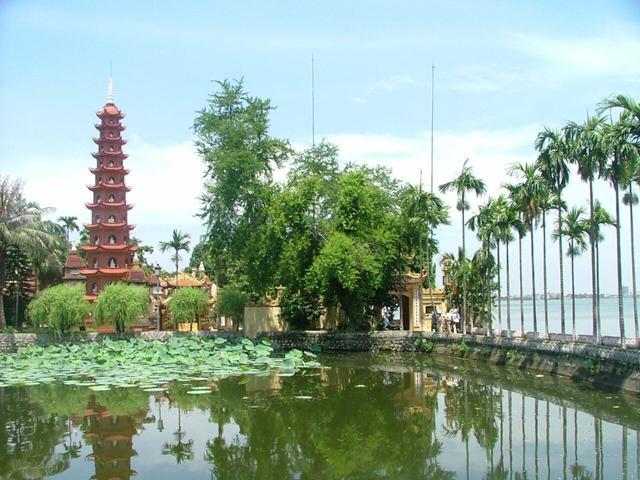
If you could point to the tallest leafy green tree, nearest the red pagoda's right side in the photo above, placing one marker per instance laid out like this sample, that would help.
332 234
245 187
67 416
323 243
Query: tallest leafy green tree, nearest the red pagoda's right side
239 157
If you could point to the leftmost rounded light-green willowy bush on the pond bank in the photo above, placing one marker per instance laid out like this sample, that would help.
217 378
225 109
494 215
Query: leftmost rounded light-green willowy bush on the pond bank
61 307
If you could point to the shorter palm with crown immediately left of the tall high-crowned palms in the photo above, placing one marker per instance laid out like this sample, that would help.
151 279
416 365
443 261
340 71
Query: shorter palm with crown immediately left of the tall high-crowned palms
528 196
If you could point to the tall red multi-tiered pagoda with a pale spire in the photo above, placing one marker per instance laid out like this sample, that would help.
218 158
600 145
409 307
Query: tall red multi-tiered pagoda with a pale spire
109 252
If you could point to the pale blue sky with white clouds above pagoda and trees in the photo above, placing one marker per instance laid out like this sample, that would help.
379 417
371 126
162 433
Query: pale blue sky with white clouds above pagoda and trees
503 70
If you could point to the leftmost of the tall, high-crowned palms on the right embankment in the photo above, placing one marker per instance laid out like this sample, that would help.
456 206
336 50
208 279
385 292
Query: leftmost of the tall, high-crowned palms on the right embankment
553 151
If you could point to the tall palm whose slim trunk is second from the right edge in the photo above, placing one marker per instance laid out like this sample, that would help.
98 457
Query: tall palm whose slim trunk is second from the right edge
620 149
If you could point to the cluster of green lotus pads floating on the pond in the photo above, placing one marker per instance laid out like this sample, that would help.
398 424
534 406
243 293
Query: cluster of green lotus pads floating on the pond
147 363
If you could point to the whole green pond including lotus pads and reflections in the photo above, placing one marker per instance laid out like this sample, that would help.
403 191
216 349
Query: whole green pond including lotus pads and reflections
192 408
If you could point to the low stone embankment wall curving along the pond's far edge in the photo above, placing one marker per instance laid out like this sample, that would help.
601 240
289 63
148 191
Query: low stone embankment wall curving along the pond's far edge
607 365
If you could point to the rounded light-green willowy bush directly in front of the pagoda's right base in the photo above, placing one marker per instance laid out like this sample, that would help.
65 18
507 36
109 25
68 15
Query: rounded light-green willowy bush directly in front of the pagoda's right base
121 305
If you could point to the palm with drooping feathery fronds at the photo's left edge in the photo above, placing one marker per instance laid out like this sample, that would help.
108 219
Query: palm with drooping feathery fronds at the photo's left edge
21 225
